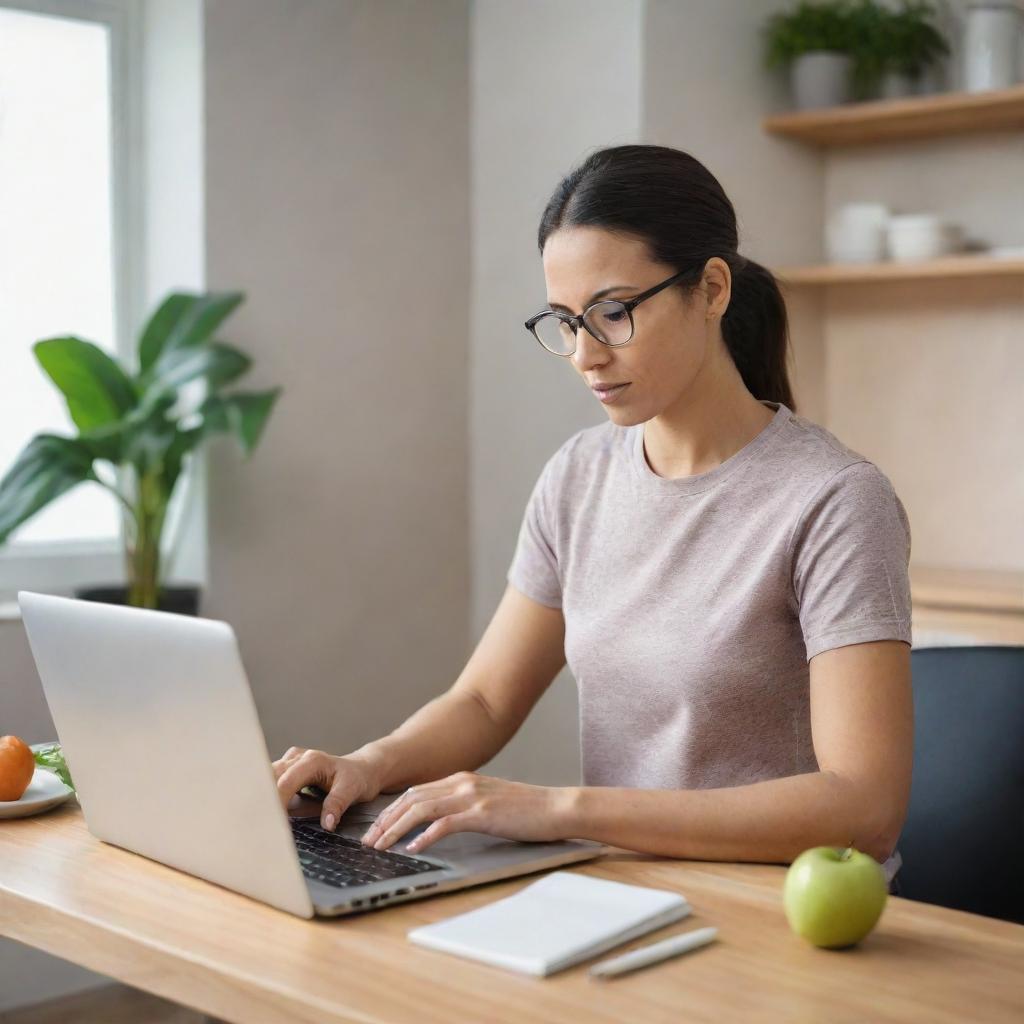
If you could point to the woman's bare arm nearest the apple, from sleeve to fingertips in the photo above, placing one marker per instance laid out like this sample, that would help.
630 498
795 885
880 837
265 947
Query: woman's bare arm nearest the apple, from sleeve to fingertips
863 724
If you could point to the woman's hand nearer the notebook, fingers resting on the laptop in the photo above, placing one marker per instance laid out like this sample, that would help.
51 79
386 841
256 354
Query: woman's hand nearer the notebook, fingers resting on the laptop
467 802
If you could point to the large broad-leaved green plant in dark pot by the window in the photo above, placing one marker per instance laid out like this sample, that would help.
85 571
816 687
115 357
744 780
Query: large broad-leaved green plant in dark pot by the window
138 428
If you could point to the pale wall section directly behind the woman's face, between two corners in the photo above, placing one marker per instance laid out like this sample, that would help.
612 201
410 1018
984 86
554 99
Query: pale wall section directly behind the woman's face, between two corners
540 105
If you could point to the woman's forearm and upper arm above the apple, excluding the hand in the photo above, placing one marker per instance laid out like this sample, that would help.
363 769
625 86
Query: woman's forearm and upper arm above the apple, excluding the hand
863 726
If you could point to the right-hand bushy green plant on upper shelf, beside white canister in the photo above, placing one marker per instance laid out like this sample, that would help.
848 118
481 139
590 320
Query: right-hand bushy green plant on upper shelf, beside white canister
895 49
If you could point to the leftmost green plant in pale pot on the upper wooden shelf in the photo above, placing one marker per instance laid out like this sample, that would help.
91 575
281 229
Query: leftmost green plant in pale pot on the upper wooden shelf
817 41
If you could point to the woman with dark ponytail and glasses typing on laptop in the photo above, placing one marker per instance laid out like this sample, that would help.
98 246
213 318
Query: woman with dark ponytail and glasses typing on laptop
729 581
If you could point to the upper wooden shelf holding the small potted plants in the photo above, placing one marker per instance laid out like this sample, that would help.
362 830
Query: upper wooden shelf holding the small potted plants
912 117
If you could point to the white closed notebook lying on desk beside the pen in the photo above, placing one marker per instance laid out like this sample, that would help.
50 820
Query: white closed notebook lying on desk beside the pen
561 920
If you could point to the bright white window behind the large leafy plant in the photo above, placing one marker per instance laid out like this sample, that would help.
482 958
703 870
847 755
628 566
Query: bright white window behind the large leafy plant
67 240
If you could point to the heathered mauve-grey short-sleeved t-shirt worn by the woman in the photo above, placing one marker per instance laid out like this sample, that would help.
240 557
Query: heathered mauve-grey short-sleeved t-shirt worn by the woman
693 606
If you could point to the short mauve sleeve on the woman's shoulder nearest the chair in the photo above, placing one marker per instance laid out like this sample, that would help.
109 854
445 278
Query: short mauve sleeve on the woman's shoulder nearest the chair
851 561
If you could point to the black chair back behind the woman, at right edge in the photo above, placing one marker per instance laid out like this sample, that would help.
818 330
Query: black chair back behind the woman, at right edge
963 844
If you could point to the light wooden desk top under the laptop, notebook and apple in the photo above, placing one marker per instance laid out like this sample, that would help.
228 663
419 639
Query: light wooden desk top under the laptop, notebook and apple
204 947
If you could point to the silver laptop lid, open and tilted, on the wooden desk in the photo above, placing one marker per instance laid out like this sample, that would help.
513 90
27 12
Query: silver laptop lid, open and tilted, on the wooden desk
157 719
